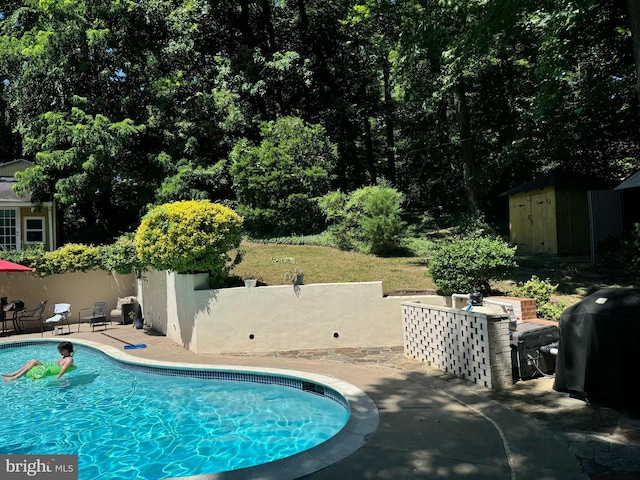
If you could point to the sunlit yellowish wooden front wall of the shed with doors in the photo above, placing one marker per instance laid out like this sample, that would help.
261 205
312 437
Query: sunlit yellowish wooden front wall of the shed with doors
532 221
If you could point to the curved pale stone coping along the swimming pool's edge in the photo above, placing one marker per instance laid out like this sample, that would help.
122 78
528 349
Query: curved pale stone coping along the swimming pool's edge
360 427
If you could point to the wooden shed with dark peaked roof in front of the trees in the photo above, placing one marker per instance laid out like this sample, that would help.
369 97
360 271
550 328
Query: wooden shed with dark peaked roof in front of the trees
550 214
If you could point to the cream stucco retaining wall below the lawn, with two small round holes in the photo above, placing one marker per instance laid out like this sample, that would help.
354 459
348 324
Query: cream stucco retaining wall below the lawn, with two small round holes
271 318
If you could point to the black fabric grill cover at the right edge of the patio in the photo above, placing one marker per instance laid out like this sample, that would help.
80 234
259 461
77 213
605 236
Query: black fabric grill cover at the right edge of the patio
599 344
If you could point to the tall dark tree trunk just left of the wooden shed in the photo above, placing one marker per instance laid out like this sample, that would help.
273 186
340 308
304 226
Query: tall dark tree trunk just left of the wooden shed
469 180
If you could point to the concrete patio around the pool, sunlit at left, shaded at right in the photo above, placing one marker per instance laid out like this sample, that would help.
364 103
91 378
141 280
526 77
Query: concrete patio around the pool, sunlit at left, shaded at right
434 426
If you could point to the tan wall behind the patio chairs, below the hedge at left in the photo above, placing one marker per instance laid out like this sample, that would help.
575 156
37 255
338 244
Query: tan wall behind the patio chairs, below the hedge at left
80 289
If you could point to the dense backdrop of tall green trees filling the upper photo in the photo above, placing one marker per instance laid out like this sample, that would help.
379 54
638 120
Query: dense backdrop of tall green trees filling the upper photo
122 105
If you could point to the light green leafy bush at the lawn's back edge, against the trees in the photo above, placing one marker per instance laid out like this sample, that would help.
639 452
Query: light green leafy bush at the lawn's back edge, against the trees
369 219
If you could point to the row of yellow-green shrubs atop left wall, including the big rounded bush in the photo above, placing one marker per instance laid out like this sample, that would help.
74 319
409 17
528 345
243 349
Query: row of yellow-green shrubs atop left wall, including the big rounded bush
187 236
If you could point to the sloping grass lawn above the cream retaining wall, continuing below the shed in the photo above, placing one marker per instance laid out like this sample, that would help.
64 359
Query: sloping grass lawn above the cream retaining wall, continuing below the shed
576 277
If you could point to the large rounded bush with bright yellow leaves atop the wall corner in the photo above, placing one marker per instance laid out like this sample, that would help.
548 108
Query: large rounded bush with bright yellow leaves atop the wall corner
189 236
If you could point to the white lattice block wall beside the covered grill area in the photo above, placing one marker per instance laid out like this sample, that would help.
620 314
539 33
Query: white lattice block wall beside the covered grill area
473 346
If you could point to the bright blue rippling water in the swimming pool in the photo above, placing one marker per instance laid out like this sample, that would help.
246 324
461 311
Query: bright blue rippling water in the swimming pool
129 424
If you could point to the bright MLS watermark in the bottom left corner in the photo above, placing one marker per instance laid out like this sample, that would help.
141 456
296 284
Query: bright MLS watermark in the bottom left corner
53 467
